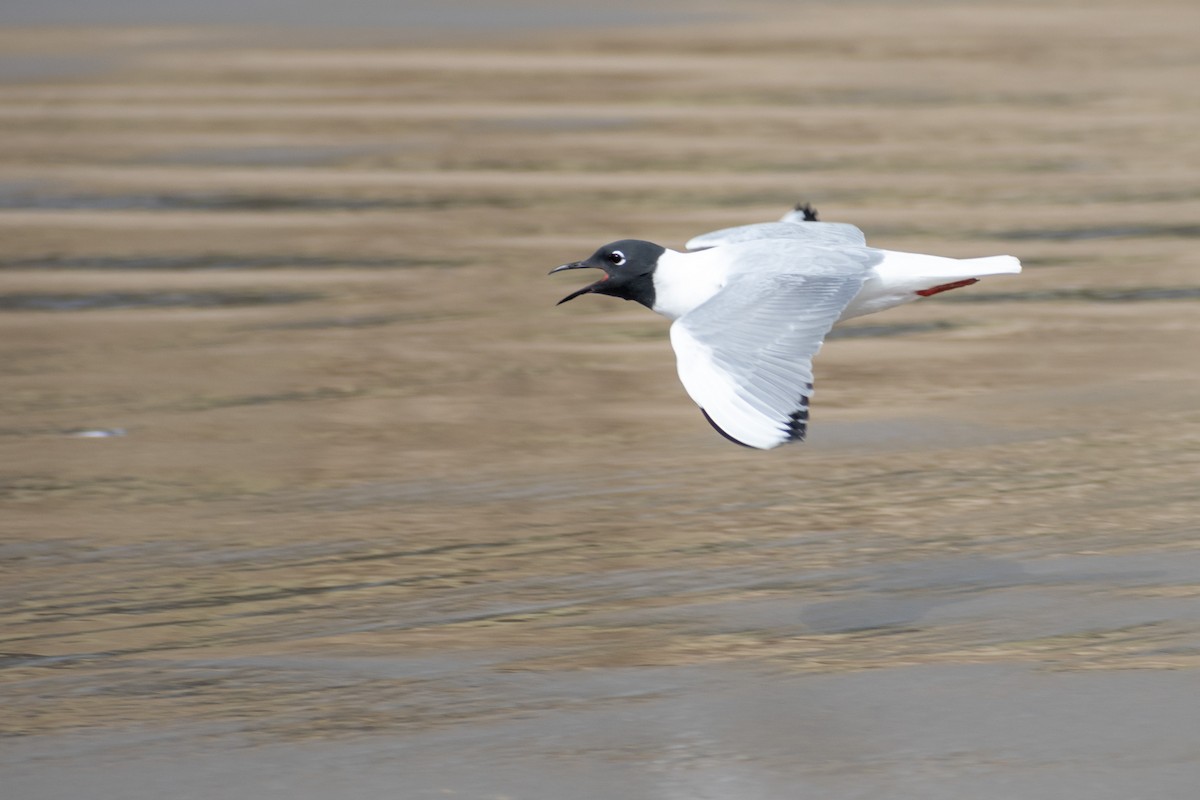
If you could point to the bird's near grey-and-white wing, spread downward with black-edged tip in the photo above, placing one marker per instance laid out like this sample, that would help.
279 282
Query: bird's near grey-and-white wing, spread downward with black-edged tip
746 356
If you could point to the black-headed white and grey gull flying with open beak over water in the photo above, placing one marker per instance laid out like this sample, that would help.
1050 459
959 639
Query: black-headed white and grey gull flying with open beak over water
752 306
